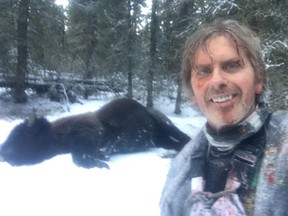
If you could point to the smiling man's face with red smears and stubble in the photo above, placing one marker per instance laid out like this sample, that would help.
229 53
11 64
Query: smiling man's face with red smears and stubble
224 83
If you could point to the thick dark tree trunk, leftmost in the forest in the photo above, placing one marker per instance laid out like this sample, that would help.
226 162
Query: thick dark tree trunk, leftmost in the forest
22 52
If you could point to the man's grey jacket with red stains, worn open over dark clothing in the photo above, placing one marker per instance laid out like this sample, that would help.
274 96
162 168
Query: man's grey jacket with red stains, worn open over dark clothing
271 195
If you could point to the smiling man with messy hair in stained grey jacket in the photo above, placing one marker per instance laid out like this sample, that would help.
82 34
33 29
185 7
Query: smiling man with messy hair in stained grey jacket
237 165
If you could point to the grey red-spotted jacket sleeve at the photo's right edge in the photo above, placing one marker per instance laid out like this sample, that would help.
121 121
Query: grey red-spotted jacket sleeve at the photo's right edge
272 188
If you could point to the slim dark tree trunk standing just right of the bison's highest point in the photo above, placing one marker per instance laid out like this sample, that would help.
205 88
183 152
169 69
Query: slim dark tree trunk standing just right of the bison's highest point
153 32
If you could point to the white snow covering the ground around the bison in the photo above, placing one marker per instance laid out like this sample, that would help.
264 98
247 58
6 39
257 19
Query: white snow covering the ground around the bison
132 186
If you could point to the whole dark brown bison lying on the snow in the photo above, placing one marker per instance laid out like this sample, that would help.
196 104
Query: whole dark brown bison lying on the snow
121 126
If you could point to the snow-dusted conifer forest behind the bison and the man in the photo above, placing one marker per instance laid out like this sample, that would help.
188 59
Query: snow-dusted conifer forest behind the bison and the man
132 47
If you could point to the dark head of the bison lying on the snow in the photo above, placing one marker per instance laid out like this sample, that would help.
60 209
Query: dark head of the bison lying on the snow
28 143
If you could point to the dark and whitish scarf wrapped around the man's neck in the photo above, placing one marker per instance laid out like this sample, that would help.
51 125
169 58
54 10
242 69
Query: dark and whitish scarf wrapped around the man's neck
228 138
